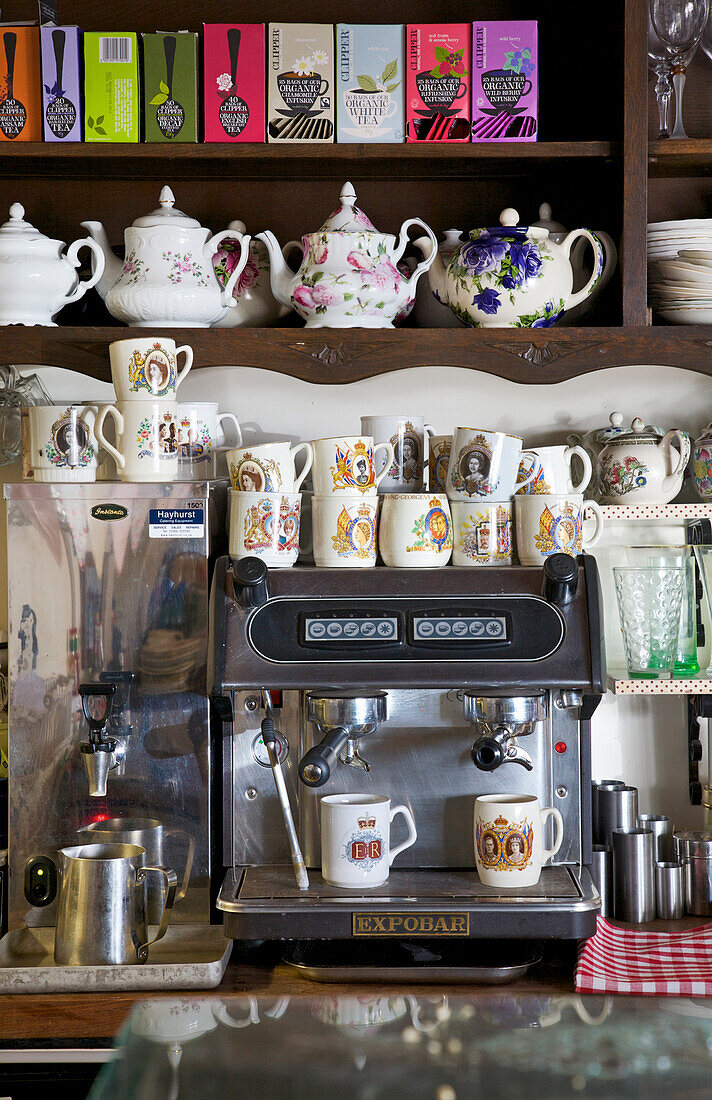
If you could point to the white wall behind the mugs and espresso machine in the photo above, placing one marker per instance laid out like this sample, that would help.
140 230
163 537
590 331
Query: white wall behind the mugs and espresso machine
640 740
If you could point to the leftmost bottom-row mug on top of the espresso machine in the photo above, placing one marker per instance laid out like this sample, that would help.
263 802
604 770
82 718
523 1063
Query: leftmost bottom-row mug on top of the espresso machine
267 526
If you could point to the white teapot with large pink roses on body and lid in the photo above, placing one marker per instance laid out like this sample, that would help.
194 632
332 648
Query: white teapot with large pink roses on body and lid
348 278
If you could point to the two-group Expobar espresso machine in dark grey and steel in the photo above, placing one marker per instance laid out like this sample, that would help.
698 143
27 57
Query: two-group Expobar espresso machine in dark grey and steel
431 687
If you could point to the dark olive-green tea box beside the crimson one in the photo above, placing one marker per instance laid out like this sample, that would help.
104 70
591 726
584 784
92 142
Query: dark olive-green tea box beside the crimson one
170 86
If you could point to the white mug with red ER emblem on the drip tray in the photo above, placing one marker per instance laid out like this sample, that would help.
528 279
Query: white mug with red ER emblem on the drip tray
356 840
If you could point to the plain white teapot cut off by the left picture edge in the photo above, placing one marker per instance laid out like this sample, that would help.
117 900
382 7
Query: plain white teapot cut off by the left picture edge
37 278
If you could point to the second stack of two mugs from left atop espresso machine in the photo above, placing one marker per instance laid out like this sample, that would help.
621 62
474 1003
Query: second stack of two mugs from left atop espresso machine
345 510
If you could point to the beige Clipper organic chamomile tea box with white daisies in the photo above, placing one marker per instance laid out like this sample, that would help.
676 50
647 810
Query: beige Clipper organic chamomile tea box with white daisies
301 97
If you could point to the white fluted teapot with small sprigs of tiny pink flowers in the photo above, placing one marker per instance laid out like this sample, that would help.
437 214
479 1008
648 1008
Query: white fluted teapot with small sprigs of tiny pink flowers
167 279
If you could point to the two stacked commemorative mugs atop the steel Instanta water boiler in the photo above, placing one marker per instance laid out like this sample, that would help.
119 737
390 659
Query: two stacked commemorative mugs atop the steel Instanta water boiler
146 378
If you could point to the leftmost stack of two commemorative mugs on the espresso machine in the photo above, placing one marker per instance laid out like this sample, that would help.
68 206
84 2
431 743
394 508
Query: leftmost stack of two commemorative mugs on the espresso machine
266 502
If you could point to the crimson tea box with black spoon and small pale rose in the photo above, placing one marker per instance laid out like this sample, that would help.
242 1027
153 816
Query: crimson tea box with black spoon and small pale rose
234 82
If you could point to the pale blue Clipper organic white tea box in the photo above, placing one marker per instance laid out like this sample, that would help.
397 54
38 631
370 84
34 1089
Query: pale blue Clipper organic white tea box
370 83
